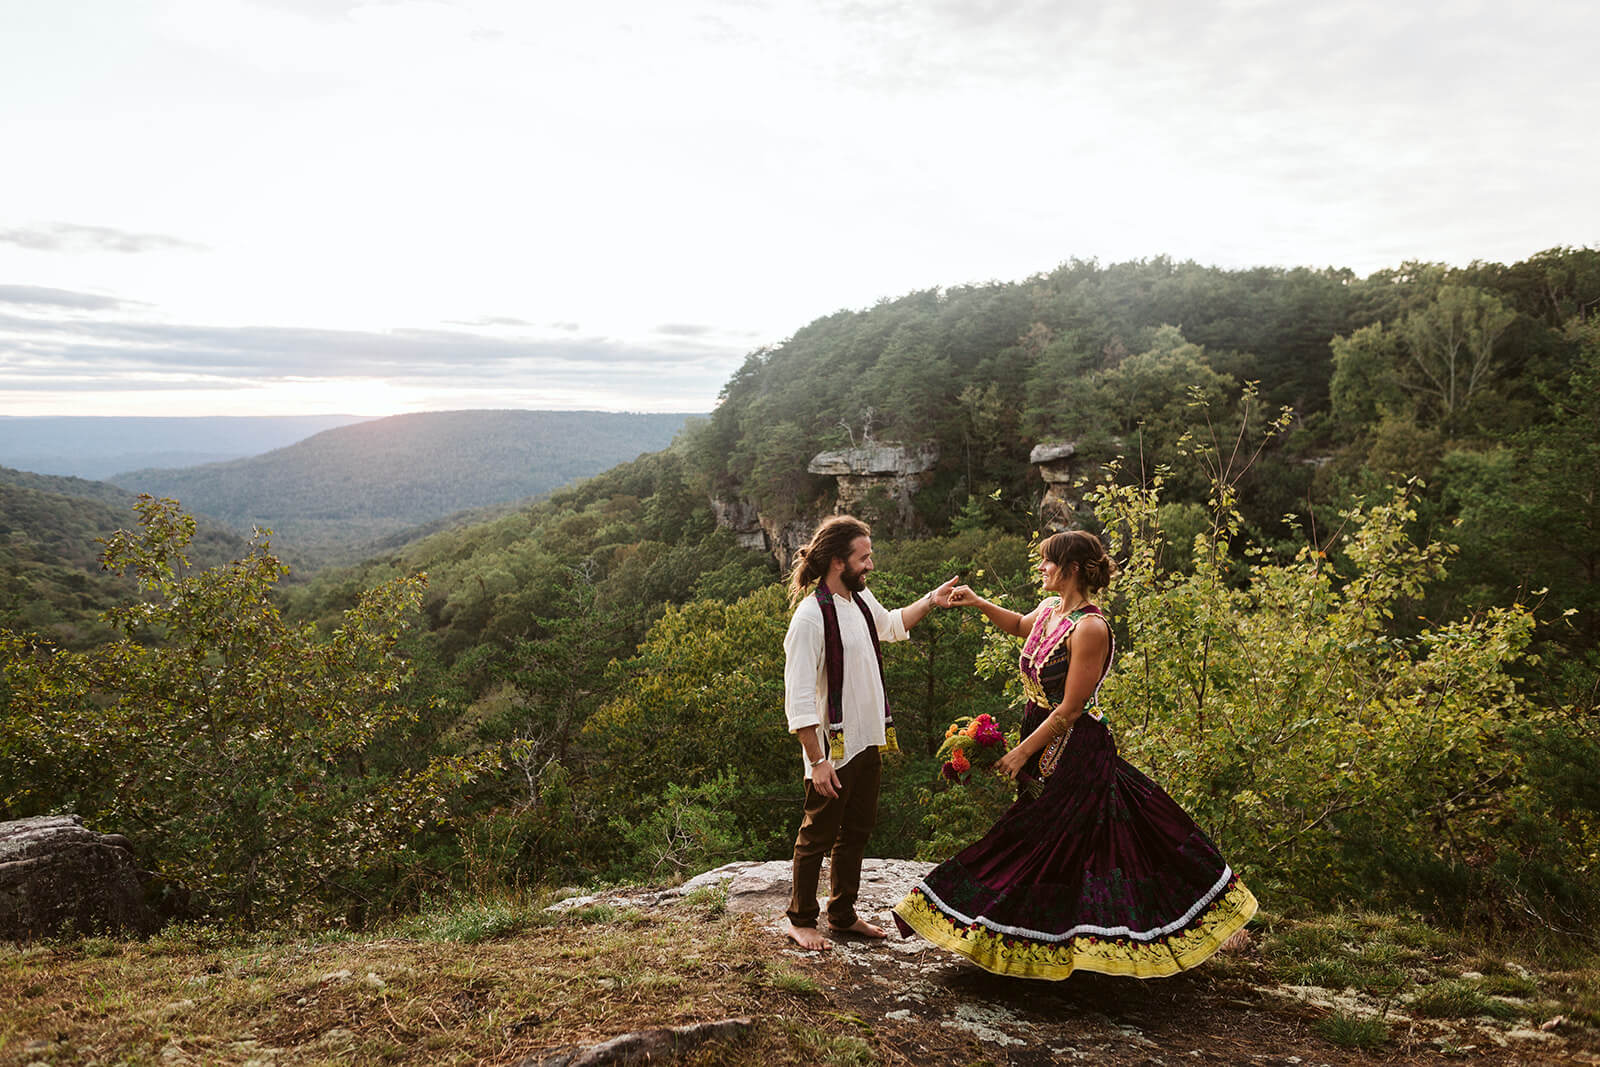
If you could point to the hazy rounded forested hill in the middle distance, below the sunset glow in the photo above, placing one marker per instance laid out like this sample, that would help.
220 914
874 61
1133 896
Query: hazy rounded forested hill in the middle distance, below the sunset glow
330 495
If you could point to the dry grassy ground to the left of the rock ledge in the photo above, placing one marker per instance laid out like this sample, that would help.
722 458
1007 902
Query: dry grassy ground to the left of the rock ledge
484 981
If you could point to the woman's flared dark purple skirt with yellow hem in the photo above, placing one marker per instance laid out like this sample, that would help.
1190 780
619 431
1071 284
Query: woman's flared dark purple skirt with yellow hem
1102 873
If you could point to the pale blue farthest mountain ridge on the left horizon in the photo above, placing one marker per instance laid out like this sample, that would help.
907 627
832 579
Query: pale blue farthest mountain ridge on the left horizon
100 447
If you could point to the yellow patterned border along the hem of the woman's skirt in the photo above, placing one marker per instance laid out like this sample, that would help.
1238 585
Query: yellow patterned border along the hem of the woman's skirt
1020 957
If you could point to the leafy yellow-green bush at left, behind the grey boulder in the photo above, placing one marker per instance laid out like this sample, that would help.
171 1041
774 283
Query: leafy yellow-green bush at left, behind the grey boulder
225 741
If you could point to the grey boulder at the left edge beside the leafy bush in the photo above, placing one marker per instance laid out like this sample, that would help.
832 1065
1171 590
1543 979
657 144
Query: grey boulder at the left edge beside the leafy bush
57 874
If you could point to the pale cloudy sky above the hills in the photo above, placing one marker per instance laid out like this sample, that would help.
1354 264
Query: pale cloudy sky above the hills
305 207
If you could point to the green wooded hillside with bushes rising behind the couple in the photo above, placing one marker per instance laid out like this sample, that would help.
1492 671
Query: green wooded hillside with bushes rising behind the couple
1358 618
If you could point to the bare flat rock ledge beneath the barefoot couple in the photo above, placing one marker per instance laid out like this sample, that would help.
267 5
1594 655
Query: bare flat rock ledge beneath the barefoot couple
929 1007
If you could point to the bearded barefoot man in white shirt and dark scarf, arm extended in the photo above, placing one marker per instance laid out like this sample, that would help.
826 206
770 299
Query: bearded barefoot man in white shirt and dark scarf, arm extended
836 705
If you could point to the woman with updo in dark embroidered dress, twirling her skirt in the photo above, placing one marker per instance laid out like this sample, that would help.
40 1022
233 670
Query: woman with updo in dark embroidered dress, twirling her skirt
1100 871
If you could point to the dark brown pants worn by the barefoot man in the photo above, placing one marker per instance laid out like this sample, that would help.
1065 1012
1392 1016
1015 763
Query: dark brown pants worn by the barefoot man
842 826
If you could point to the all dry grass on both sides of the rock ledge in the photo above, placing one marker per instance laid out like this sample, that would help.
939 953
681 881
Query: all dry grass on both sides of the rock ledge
505 981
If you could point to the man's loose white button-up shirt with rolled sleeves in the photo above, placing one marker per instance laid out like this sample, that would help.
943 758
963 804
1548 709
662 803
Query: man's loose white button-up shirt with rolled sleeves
806 673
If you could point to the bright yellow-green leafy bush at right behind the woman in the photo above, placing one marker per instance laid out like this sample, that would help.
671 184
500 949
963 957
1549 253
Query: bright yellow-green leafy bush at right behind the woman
1337 749
